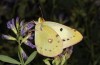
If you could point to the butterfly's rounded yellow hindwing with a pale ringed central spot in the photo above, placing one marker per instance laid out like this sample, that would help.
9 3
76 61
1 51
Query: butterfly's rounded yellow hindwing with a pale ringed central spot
47 41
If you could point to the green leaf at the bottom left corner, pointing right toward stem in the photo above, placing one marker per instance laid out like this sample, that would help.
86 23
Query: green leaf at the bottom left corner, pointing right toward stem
8 59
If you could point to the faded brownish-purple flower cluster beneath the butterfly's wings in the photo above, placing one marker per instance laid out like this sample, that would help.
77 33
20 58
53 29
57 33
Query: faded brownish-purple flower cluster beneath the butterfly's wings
63 57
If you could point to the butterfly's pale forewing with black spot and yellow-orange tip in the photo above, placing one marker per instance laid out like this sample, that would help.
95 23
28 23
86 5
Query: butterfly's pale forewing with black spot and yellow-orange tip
68 35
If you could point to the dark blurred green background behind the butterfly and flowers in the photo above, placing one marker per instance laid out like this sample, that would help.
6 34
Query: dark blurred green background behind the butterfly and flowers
83 15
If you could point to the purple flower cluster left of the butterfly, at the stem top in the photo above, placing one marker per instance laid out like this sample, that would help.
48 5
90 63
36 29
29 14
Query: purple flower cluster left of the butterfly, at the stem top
20 29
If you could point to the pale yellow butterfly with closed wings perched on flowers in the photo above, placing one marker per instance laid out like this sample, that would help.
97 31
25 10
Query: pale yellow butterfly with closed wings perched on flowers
51 37
